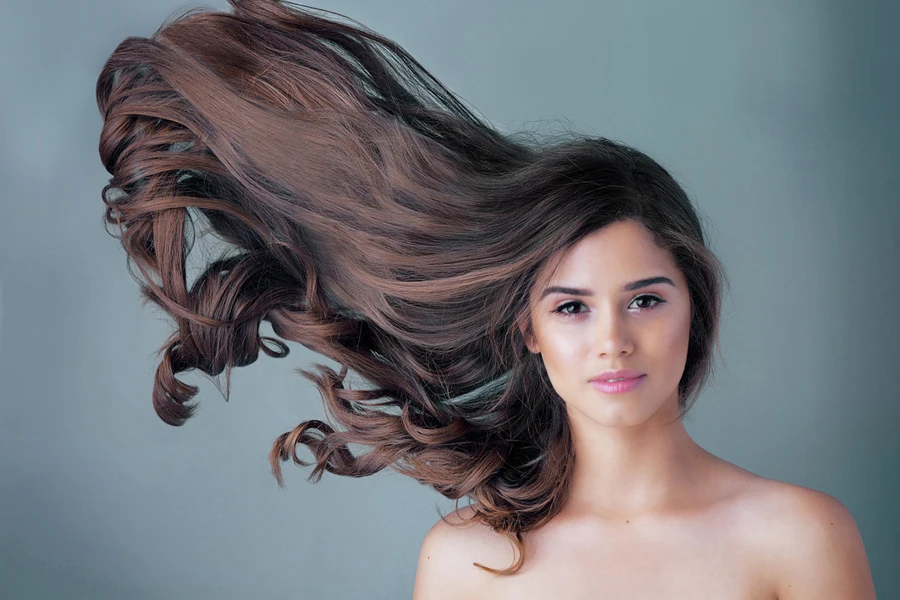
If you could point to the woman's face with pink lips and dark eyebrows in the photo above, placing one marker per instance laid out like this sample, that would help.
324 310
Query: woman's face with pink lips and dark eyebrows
580 334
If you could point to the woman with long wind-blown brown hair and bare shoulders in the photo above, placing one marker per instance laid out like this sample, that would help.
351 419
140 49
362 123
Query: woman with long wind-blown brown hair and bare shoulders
488 286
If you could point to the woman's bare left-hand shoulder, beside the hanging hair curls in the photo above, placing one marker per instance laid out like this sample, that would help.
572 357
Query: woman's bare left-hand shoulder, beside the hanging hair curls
446 560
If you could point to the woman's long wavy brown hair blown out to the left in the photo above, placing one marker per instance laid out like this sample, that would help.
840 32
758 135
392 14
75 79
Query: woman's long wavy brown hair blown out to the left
373 218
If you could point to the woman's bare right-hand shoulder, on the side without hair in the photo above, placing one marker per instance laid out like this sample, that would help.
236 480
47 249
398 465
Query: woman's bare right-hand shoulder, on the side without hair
813 545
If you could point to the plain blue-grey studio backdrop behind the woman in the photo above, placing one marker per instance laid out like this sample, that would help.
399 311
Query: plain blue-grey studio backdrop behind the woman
779 118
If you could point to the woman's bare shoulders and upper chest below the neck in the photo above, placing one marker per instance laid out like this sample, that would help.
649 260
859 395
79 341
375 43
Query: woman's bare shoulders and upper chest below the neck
742 537
